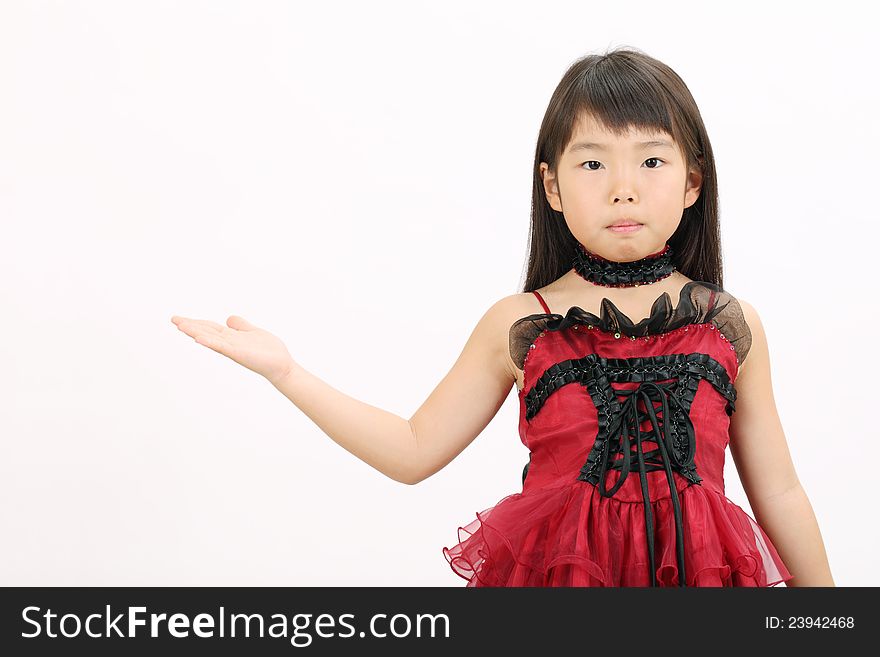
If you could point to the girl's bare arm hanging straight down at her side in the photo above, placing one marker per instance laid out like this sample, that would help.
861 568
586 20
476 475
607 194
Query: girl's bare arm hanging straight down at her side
761 456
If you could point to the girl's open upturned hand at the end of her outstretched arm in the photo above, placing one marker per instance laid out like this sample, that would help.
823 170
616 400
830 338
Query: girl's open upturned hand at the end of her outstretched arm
246 344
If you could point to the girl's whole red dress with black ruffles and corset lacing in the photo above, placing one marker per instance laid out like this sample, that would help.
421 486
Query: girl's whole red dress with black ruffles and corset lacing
627 426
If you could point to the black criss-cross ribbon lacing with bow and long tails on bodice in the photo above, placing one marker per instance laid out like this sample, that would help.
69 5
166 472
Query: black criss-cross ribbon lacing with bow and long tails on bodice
628 422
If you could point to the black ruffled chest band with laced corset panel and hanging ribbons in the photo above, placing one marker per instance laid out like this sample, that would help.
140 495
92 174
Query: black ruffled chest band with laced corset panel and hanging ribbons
670 380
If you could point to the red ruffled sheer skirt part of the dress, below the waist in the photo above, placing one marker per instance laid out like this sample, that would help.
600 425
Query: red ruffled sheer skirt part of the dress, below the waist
573 536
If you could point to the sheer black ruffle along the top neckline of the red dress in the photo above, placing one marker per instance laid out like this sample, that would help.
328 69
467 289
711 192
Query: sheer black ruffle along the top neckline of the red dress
699 302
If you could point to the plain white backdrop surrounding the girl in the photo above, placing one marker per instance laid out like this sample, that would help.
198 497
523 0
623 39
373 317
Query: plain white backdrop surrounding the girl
355 177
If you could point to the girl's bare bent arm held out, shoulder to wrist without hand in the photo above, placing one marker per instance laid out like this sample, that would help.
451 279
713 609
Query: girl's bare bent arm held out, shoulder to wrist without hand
454 414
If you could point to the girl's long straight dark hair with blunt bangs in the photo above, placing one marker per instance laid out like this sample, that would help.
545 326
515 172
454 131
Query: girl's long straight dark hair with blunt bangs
623 89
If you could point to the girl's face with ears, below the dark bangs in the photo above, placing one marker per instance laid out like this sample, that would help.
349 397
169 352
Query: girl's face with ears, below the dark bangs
602 178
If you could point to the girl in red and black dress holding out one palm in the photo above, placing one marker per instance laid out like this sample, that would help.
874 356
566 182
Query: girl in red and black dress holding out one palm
635 369
